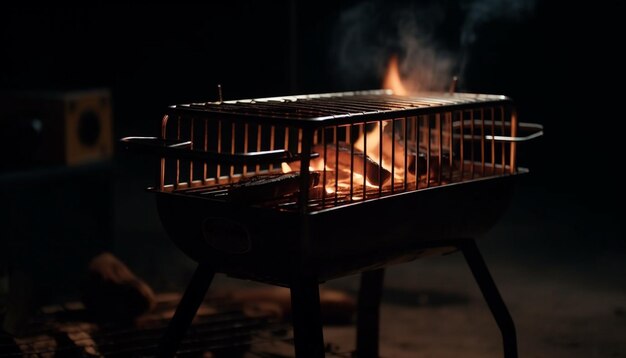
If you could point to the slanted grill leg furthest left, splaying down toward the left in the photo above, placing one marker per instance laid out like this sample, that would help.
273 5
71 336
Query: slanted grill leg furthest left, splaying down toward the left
186 310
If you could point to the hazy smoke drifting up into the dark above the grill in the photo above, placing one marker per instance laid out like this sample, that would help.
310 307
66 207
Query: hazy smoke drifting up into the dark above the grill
432 40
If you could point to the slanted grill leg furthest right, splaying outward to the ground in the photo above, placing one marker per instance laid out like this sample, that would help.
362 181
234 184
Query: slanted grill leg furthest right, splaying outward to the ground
492 296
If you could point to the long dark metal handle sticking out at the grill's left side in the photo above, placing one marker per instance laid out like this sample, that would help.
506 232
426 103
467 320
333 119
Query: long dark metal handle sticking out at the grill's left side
177 149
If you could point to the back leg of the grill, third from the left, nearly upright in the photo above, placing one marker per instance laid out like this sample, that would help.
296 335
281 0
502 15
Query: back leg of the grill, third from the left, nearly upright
368 314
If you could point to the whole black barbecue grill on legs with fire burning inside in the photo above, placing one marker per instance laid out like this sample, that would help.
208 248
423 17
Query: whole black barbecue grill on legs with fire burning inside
297 190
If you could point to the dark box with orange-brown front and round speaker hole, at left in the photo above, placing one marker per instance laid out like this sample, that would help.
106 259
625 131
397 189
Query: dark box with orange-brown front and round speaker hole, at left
55 128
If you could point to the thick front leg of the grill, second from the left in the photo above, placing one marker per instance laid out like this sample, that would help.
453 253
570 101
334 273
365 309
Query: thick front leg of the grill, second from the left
306 316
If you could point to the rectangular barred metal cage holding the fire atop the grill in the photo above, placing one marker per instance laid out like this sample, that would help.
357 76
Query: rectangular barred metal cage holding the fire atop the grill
462 136
